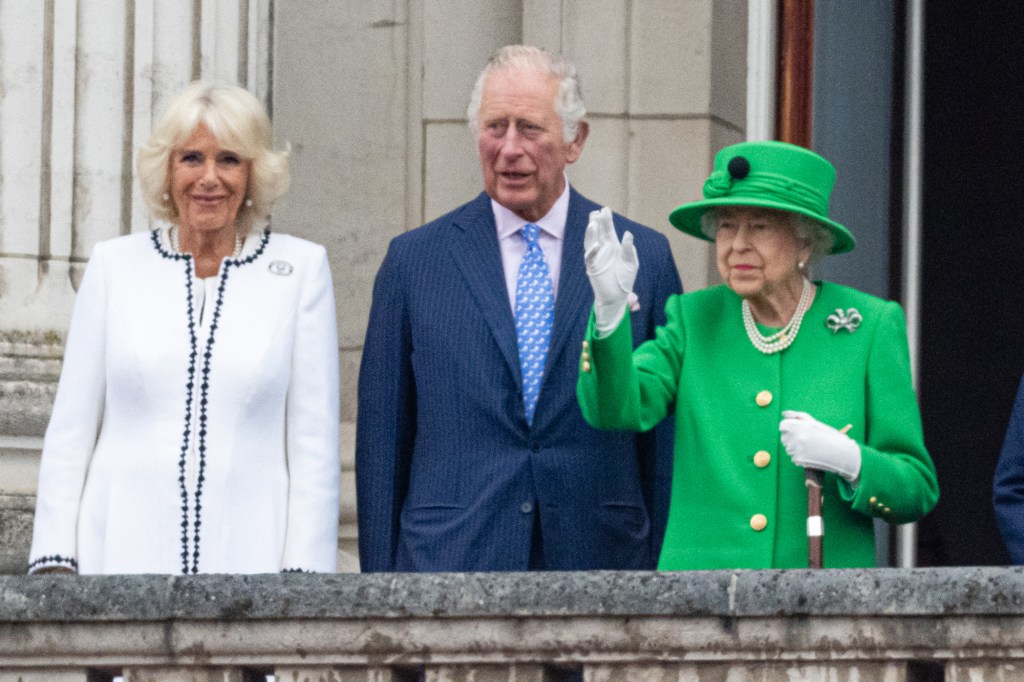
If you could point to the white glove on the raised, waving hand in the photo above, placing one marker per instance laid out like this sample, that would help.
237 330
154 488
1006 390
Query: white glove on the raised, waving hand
612 268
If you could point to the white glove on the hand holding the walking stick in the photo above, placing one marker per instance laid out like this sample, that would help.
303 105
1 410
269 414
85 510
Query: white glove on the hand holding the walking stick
817 446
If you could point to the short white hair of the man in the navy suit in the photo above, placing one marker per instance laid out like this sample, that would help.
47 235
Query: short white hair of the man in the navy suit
569 101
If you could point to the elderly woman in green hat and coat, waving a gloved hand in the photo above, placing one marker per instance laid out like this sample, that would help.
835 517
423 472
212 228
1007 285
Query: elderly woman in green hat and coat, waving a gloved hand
767 375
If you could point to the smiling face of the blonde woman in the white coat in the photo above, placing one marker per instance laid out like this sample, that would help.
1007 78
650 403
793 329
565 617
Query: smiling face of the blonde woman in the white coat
208 183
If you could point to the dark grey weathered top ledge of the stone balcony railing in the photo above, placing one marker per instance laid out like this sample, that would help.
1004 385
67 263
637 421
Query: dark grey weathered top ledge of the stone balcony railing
881 592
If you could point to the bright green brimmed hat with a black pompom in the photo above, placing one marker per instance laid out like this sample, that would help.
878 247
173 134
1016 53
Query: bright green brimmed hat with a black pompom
767 175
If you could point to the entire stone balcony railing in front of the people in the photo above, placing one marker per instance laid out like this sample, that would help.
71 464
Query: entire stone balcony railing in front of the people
836 626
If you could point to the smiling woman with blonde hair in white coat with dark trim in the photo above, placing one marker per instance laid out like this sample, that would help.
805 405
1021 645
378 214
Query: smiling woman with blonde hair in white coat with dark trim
196 422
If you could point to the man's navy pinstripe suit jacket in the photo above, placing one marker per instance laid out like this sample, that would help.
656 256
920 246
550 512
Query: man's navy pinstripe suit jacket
449 474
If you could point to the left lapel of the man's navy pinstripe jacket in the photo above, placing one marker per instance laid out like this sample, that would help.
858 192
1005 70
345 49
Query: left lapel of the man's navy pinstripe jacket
476 251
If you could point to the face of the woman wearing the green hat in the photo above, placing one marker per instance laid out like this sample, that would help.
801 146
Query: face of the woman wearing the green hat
758 251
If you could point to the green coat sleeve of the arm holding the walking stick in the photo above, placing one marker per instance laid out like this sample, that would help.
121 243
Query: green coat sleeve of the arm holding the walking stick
898 478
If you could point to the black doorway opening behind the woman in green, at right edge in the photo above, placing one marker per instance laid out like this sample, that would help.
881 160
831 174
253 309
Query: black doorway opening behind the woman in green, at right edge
972 337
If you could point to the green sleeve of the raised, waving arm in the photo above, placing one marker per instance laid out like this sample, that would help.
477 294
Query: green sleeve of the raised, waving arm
623 390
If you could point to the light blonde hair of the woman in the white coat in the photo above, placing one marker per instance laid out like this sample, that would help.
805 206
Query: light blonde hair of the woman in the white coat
239 123
